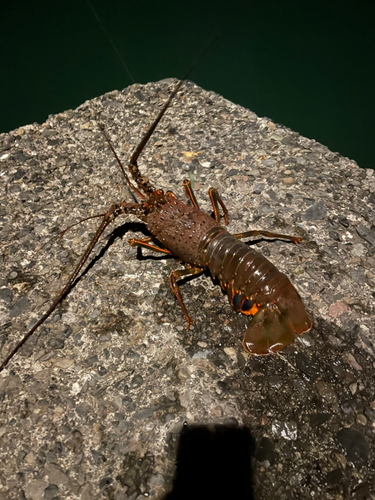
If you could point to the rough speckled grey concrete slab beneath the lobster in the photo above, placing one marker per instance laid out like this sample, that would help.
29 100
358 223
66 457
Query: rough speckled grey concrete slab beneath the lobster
93 405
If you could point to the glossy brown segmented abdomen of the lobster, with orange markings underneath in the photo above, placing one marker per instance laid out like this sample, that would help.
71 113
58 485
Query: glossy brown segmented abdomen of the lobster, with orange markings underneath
246 275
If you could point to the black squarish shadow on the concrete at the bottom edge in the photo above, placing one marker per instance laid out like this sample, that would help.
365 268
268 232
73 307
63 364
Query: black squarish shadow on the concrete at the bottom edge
213 461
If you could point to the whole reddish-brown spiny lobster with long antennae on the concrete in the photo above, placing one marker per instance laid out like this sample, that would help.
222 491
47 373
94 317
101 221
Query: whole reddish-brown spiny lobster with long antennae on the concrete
253 284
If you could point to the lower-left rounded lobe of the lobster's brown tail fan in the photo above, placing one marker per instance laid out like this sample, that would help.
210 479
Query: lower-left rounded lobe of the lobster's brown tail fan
268 332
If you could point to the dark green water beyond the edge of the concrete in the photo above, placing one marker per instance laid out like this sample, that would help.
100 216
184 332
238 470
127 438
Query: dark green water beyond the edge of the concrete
308 65
